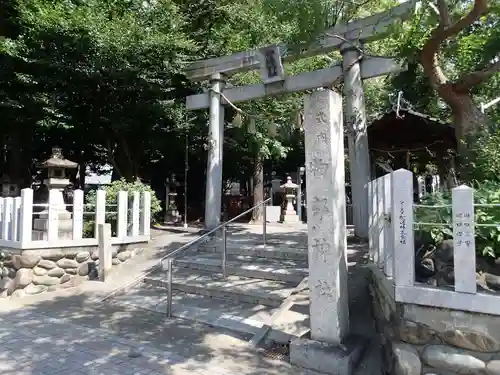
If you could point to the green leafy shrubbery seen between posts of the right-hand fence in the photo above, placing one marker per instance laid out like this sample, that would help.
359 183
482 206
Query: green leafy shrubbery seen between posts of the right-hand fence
487 238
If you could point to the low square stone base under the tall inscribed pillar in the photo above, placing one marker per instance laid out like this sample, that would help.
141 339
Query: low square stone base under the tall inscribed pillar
328 358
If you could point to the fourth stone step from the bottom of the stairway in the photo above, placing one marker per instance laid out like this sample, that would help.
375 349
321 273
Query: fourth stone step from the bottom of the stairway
268 251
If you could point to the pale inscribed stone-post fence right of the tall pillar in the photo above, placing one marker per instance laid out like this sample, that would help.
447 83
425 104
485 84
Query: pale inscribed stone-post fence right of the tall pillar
392 247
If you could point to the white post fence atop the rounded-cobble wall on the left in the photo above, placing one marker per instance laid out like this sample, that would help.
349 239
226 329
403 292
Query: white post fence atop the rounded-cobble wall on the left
17 217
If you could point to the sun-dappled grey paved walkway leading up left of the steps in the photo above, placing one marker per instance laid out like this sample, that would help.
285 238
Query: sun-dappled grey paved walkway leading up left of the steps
69 332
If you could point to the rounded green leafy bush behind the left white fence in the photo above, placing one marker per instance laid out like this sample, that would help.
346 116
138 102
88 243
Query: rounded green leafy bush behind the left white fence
112 191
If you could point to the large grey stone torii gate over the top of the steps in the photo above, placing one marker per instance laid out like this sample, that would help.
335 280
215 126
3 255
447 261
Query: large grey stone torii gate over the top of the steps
352 71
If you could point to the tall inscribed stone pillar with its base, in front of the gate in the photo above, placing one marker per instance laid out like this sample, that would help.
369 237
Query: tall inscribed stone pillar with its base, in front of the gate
330 350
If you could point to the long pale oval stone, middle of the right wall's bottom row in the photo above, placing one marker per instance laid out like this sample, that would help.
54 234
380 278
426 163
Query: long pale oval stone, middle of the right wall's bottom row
447 358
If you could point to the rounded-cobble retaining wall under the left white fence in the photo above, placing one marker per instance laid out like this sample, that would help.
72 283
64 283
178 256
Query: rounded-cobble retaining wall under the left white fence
40 270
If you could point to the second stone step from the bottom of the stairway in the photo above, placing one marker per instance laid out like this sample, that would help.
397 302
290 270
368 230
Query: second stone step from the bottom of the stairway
237 288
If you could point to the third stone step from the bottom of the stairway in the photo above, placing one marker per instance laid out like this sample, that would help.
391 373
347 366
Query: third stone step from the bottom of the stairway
246 266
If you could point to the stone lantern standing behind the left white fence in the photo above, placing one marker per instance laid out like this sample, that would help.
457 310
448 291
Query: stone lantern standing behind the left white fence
56 182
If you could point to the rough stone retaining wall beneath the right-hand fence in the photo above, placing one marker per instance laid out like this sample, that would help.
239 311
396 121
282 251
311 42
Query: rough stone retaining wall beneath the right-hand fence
420 340
